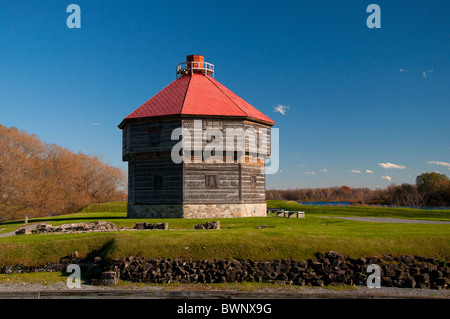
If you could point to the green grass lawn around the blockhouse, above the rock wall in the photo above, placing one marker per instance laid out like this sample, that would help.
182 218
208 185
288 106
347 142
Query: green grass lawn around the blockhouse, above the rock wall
237 238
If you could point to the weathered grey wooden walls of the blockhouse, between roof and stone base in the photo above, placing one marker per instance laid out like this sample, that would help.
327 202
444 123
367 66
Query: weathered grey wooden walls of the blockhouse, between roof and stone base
147 147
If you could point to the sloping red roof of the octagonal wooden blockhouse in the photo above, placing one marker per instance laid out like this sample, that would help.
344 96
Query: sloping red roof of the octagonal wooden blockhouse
197 94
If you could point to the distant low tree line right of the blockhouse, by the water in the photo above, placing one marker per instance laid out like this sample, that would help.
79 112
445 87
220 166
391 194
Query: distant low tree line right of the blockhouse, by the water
431 189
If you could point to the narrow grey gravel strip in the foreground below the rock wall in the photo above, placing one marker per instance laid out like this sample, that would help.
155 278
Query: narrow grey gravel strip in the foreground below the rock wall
60 290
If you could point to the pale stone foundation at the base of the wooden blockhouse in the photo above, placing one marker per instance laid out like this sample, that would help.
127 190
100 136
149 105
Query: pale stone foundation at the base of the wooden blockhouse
197 211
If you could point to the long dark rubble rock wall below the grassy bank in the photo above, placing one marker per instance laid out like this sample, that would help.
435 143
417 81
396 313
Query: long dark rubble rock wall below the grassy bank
330 268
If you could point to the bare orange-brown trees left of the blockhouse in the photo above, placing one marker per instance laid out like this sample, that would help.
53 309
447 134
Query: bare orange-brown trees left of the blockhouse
40 179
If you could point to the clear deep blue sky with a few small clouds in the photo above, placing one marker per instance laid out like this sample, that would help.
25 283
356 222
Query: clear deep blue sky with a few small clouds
355 98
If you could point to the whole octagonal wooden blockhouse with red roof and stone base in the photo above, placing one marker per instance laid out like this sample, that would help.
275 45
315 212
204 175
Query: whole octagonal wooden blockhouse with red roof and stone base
196 150
